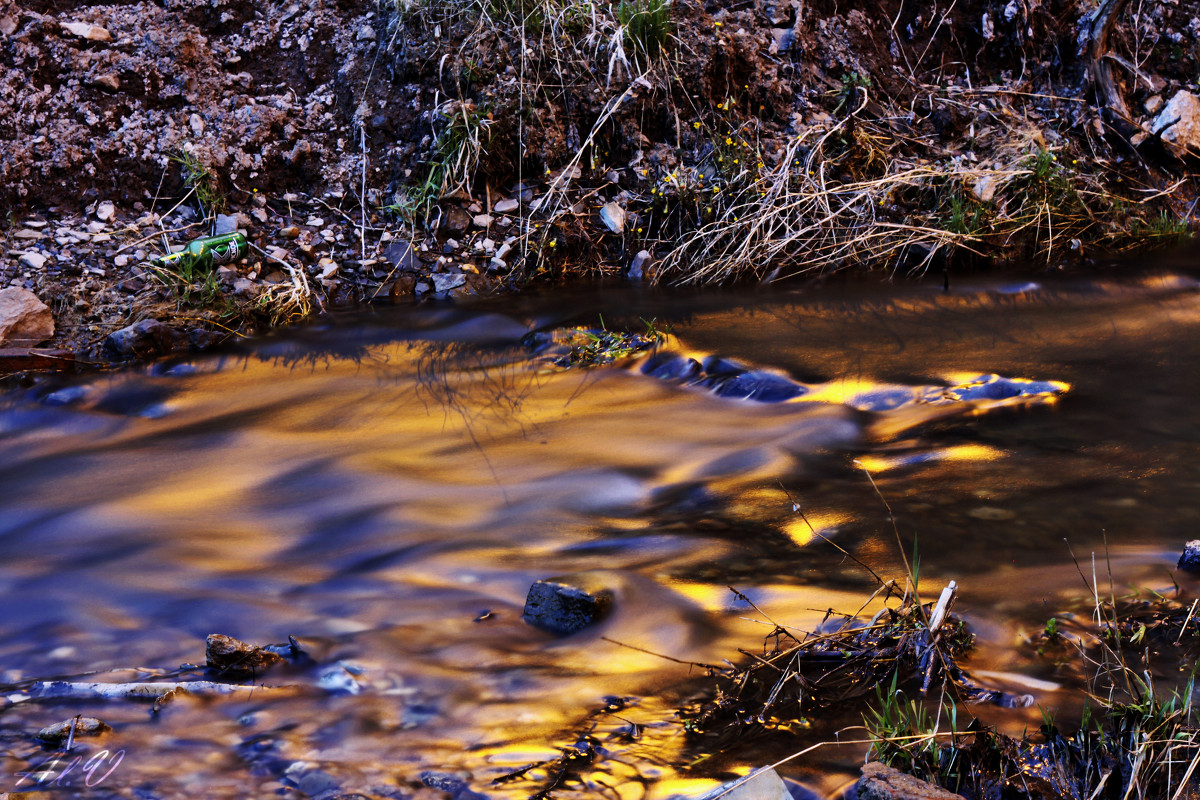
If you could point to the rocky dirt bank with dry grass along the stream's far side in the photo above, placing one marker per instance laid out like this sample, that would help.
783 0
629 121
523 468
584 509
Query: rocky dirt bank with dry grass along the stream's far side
416 148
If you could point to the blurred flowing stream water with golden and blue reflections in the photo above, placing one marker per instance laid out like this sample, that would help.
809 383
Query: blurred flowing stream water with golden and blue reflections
387 490
